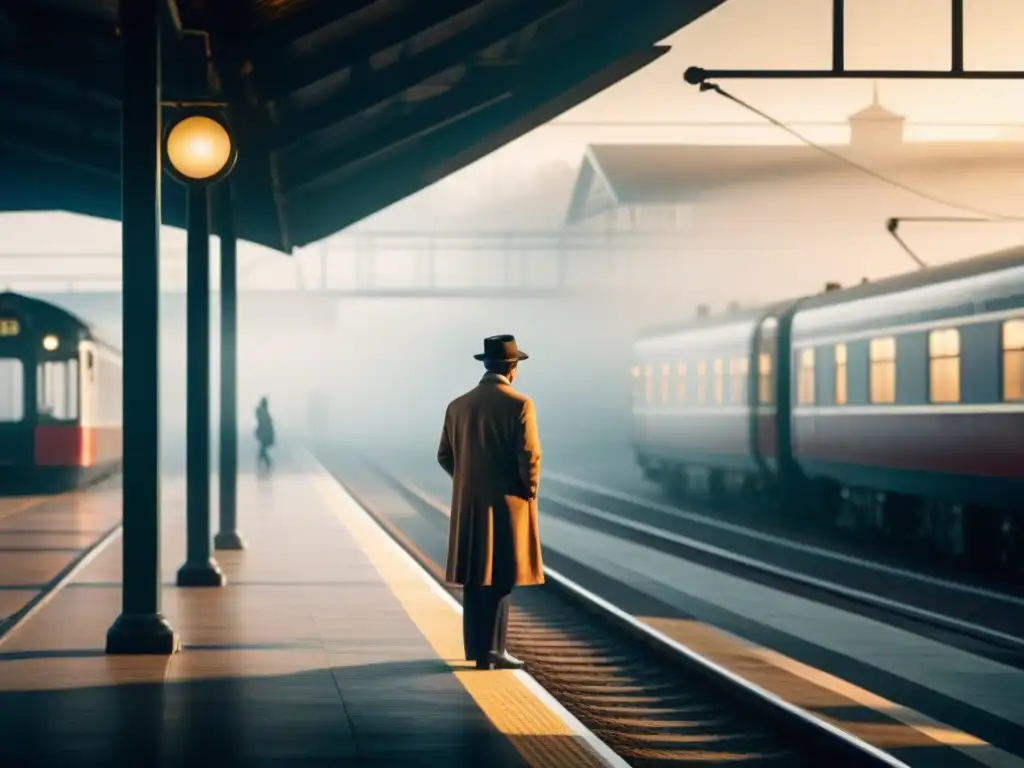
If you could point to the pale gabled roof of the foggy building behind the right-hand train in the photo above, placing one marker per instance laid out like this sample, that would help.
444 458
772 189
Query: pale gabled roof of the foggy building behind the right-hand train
615 176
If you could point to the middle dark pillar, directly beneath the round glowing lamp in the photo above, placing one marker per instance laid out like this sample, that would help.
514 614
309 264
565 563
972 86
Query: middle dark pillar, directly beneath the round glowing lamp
200 570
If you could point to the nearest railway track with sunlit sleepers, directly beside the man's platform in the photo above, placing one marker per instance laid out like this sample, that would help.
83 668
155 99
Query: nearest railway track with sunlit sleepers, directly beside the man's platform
656 703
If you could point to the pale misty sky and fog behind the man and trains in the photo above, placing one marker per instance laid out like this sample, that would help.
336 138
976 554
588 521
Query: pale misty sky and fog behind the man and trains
388 367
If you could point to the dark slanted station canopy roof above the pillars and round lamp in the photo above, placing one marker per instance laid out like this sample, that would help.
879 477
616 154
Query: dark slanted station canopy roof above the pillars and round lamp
339 108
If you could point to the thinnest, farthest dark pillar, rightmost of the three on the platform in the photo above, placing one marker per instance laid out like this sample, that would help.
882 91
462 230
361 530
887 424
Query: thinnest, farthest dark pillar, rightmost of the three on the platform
229 537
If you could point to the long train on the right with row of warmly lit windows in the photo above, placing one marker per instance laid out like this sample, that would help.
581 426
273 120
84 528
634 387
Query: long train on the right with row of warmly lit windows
893 406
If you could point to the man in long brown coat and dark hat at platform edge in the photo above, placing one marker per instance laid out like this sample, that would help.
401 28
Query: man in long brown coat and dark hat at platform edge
491 449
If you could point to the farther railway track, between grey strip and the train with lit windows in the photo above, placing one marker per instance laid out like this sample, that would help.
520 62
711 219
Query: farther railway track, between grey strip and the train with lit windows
992 618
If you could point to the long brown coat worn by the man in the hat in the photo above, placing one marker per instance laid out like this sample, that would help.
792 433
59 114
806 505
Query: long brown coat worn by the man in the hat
491 448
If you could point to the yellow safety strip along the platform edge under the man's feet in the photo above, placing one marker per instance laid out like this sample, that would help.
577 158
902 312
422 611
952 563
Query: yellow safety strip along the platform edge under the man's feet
538 735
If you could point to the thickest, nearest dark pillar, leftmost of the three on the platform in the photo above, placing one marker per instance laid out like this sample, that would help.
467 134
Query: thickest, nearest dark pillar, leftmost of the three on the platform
141 628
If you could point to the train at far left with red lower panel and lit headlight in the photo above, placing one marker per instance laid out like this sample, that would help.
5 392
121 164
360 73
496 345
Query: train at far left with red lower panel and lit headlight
61 399
